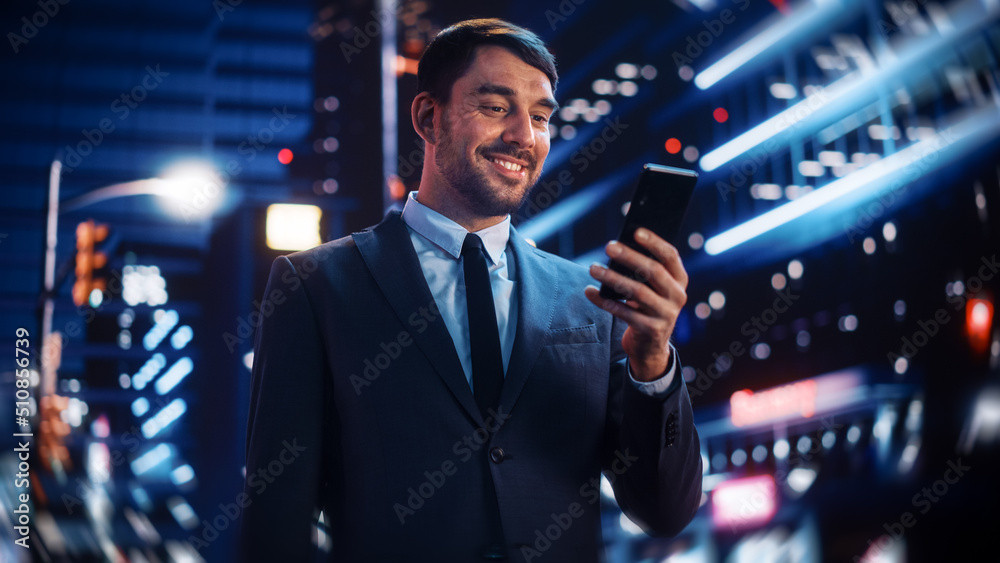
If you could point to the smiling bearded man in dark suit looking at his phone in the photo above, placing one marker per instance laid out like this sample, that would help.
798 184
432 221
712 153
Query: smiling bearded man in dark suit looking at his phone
384 397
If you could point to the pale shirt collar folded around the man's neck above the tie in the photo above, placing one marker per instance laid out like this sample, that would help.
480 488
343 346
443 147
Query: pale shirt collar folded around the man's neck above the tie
449 235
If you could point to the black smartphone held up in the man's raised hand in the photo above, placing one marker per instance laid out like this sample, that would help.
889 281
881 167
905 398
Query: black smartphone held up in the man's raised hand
659 202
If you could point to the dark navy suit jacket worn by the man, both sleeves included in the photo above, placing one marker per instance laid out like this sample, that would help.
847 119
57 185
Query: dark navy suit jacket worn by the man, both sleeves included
360 407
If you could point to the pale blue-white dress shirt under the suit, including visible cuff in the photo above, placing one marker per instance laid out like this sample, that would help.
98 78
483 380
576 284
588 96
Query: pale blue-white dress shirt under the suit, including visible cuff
438 241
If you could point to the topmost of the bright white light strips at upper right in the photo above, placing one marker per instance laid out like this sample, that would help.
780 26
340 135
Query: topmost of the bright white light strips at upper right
772 35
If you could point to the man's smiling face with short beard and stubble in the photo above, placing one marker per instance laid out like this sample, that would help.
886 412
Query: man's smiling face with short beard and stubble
493 135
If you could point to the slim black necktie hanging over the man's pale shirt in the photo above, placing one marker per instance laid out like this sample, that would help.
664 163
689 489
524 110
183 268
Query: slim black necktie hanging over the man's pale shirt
484 337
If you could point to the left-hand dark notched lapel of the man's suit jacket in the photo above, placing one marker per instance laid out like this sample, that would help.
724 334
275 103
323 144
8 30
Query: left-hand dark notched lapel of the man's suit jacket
389 255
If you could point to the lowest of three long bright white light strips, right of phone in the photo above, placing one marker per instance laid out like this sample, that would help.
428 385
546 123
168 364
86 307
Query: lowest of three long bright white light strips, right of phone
983 121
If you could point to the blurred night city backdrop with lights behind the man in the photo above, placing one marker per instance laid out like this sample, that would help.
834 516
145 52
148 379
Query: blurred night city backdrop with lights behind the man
840 341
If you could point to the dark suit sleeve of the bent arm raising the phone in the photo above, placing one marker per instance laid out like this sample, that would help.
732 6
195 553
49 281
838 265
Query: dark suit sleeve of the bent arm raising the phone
654 459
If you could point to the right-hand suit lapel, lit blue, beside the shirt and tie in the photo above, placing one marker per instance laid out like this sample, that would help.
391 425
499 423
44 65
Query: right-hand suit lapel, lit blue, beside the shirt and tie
538 291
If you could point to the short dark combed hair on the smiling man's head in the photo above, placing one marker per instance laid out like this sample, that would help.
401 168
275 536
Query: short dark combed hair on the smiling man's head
451 53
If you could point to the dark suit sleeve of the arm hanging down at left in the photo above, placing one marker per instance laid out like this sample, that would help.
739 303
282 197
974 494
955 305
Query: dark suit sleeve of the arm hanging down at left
285 429
